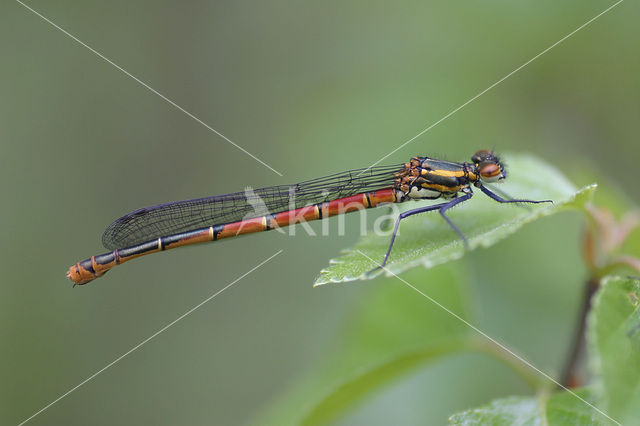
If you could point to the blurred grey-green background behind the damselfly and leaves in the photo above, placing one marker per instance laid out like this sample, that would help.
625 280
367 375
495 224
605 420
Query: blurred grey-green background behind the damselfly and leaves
310 88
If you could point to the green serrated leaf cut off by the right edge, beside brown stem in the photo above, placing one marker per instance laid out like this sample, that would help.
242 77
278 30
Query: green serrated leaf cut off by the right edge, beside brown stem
614 347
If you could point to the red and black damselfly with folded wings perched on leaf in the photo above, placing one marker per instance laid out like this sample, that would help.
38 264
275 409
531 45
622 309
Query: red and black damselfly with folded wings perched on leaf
166 226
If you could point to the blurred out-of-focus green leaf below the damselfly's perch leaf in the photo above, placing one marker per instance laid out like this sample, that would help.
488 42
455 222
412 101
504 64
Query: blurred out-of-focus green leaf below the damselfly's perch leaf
389 321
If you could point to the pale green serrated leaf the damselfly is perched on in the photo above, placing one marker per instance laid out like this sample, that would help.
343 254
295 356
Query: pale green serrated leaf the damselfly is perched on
428 240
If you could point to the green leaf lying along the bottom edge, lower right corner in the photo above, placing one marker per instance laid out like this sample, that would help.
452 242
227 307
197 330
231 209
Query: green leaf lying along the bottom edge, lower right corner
562 408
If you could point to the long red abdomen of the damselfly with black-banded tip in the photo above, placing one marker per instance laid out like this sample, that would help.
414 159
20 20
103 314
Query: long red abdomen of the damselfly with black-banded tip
96 266
